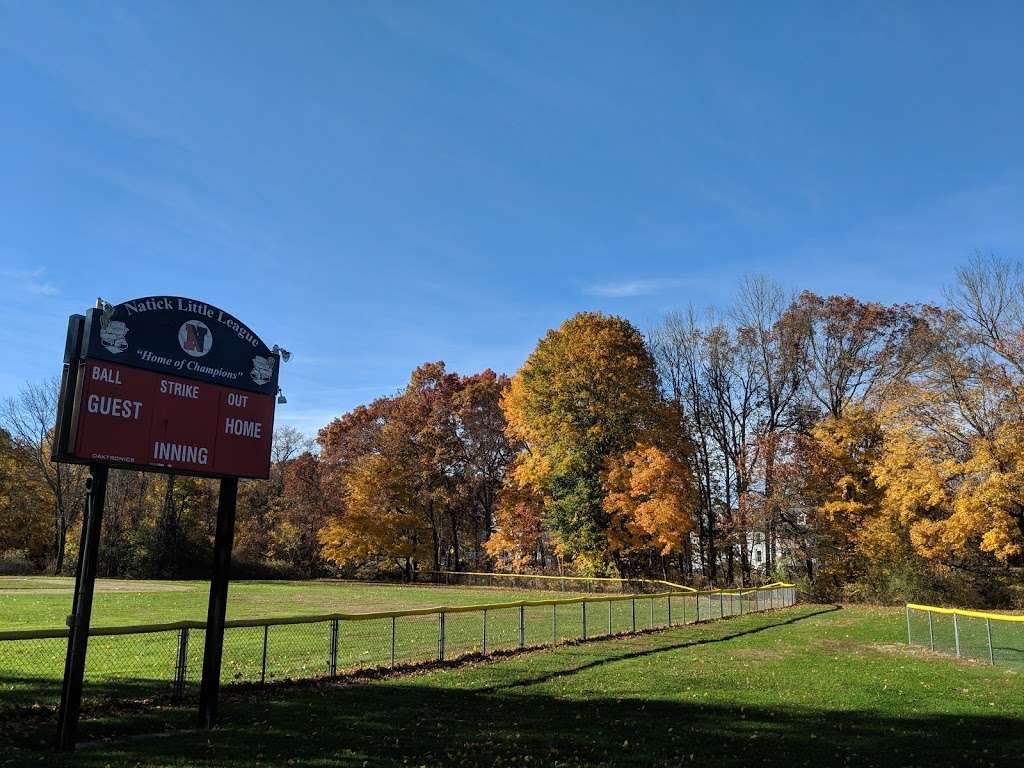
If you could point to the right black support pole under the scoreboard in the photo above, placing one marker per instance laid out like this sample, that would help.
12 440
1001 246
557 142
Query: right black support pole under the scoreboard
210 688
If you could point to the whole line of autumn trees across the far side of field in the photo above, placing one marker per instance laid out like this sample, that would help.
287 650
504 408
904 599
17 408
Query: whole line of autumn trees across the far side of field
874 452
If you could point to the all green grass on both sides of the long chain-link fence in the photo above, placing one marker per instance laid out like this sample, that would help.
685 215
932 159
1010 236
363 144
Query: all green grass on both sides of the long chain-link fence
815 686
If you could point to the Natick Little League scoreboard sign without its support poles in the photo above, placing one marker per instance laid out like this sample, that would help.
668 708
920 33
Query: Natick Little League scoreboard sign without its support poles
168 385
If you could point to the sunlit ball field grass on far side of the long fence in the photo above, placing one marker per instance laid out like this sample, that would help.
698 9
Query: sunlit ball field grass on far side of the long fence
142 666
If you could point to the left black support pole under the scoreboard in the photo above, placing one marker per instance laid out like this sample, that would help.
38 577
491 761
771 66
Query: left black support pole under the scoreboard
78 622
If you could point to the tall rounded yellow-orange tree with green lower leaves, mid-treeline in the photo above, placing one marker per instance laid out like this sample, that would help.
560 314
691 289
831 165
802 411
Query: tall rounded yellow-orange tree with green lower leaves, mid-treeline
587 394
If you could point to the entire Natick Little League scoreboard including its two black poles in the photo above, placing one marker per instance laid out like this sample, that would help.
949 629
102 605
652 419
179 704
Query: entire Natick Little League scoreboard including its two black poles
163 385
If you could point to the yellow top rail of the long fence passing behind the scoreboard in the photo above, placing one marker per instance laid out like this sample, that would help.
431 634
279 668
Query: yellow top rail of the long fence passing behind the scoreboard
347 617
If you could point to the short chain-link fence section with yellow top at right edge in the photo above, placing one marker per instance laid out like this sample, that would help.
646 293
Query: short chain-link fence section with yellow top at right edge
995 638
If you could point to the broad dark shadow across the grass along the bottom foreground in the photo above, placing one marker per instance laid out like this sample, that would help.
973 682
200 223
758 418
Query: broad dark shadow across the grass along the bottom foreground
362 726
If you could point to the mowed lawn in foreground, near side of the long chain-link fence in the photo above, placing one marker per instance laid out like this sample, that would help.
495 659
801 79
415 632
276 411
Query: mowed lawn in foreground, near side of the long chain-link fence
815 686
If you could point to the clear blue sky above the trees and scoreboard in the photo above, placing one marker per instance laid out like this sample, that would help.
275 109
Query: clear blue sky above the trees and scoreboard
377 185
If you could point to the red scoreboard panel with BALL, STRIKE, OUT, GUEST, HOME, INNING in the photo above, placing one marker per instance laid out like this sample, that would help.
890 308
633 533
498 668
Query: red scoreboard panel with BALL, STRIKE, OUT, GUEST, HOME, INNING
134 417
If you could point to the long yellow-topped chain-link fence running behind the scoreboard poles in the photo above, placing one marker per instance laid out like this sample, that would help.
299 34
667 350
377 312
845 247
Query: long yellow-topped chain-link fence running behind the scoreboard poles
166 661
